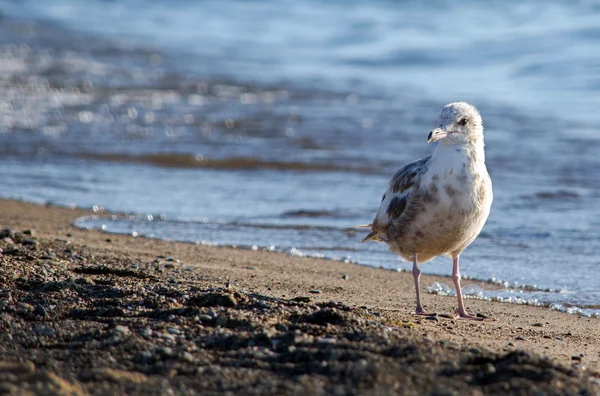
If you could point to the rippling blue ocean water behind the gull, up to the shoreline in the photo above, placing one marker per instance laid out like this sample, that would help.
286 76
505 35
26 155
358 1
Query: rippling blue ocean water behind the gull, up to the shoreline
277 125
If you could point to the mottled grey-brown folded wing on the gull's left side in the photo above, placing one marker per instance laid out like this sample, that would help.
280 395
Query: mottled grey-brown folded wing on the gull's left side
396 199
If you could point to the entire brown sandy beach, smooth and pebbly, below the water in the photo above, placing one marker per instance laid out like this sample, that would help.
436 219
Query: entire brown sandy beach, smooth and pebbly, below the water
86 312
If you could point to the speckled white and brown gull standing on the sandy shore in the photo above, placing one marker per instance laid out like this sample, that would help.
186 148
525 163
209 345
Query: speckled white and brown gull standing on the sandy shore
437 205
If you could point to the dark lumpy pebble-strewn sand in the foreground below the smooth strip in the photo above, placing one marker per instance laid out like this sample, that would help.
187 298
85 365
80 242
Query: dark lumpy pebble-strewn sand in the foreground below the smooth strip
74 323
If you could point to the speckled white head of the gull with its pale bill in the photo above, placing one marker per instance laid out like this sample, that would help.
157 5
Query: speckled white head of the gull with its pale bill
459 123
